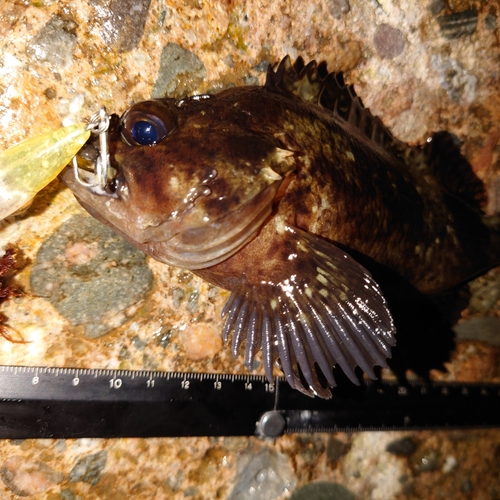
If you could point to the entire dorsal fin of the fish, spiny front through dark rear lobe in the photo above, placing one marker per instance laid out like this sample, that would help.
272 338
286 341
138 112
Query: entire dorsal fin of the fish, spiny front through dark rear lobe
440 155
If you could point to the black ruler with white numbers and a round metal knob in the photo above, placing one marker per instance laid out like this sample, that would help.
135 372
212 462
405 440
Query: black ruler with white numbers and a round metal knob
42 402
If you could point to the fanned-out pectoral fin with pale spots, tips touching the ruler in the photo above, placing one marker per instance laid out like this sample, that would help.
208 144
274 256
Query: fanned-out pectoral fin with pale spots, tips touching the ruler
320 308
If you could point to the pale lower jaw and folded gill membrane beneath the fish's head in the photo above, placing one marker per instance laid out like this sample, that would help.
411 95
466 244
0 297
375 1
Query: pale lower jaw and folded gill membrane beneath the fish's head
186 241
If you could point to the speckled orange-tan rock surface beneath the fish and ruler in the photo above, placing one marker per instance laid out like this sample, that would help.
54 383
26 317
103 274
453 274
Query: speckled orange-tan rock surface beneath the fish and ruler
415 64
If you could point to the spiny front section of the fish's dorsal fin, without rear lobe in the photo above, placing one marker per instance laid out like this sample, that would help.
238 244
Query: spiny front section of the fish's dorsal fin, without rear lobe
312 83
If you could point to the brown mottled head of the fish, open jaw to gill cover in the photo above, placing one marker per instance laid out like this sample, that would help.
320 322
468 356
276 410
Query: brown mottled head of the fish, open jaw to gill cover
191 183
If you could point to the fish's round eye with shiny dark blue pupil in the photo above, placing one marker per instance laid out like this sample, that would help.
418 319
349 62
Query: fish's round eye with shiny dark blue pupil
147 123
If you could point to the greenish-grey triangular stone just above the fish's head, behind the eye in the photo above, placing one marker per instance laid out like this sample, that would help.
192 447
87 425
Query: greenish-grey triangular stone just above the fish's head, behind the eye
180 71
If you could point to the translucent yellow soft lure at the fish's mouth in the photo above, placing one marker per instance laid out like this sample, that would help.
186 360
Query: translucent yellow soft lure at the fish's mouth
29 166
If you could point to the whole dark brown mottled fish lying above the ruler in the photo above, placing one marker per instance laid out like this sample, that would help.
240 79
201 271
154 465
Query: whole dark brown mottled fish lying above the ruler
292 195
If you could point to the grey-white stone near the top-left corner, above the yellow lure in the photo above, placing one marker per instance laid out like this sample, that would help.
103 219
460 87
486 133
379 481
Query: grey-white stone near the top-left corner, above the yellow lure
54 43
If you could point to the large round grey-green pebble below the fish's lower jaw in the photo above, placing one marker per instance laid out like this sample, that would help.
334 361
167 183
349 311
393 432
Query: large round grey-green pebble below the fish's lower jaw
95 290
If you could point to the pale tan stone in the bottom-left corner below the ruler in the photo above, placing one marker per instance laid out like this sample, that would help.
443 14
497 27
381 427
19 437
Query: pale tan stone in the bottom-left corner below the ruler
25 478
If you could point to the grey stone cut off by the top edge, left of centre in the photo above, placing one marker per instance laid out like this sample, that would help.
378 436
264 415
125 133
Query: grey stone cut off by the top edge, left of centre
123 28
